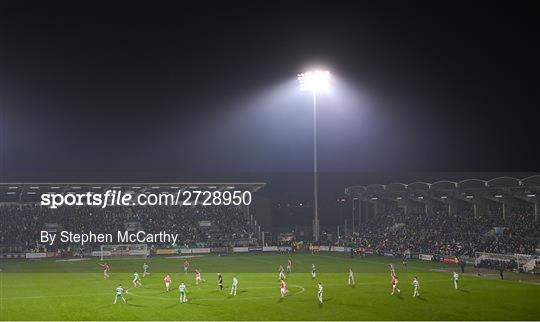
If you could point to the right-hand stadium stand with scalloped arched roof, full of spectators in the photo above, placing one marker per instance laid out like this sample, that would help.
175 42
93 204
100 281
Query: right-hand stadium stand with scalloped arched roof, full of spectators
445 218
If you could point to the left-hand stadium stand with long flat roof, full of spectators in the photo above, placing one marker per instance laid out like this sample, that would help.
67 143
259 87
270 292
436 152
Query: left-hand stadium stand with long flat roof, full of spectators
23 217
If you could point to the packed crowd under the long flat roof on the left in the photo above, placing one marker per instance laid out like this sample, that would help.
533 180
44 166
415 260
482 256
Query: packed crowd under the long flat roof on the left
195 225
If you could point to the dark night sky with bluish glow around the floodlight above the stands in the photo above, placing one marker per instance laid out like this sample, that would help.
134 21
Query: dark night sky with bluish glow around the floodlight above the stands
170 90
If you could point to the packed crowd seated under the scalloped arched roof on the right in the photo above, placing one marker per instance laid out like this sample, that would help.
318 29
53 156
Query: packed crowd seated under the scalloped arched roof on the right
441 234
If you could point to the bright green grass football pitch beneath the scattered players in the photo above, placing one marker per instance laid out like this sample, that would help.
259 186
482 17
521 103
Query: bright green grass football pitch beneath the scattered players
76 290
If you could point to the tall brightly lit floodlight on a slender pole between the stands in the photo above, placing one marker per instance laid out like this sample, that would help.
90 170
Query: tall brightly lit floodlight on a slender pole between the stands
316 81
